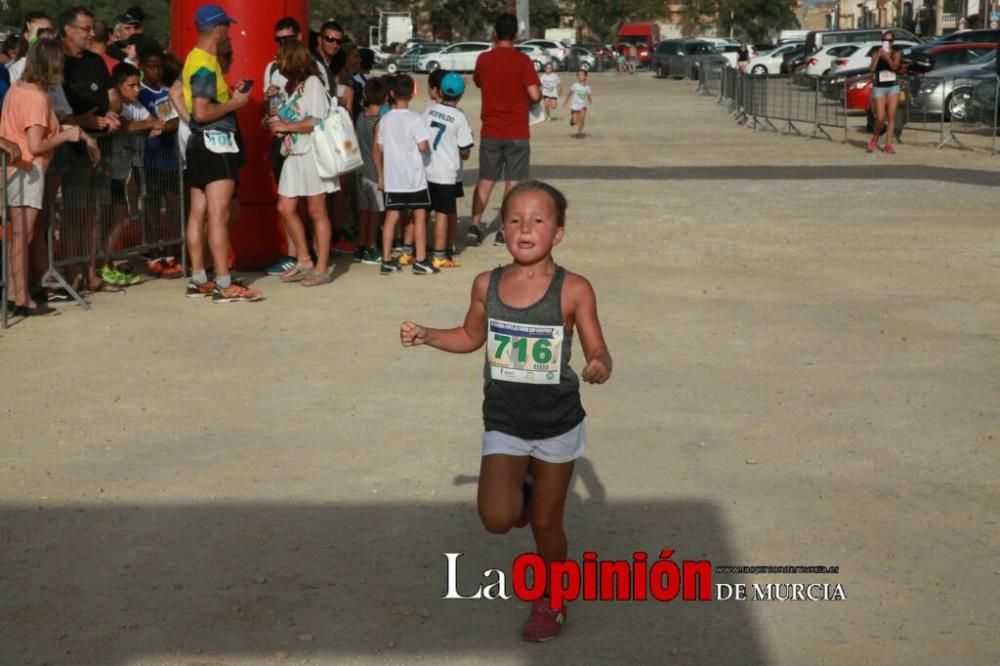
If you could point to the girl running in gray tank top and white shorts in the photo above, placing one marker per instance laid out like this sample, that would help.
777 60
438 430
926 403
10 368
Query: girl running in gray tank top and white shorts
526 312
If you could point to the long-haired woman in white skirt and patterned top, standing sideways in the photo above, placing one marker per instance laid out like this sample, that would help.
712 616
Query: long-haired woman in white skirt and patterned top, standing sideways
306 105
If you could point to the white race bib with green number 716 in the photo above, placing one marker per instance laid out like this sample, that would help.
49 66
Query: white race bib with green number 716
524 354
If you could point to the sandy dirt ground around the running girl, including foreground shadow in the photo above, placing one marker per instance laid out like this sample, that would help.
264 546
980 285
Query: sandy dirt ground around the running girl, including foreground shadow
806 357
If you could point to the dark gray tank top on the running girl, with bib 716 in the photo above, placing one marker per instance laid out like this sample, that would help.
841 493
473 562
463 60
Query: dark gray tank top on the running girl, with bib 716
530 390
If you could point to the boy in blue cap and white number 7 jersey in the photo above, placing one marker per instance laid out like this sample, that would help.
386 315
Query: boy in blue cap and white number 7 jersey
451 142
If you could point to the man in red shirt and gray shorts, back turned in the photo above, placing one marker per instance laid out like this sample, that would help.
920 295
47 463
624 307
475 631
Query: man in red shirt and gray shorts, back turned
509 86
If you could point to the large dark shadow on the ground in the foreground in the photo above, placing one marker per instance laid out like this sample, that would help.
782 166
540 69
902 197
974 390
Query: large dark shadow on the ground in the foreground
112 584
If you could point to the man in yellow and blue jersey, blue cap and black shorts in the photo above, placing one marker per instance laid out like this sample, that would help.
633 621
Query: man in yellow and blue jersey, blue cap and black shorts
214 158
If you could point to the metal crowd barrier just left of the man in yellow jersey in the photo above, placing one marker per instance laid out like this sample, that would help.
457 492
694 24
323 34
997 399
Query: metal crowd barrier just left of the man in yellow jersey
131 202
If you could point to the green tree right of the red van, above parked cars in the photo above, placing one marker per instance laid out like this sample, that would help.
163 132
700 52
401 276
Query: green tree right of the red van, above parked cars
753 18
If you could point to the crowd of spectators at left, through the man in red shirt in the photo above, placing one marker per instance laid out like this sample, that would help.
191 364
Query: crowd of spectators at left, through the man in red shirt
98 115
